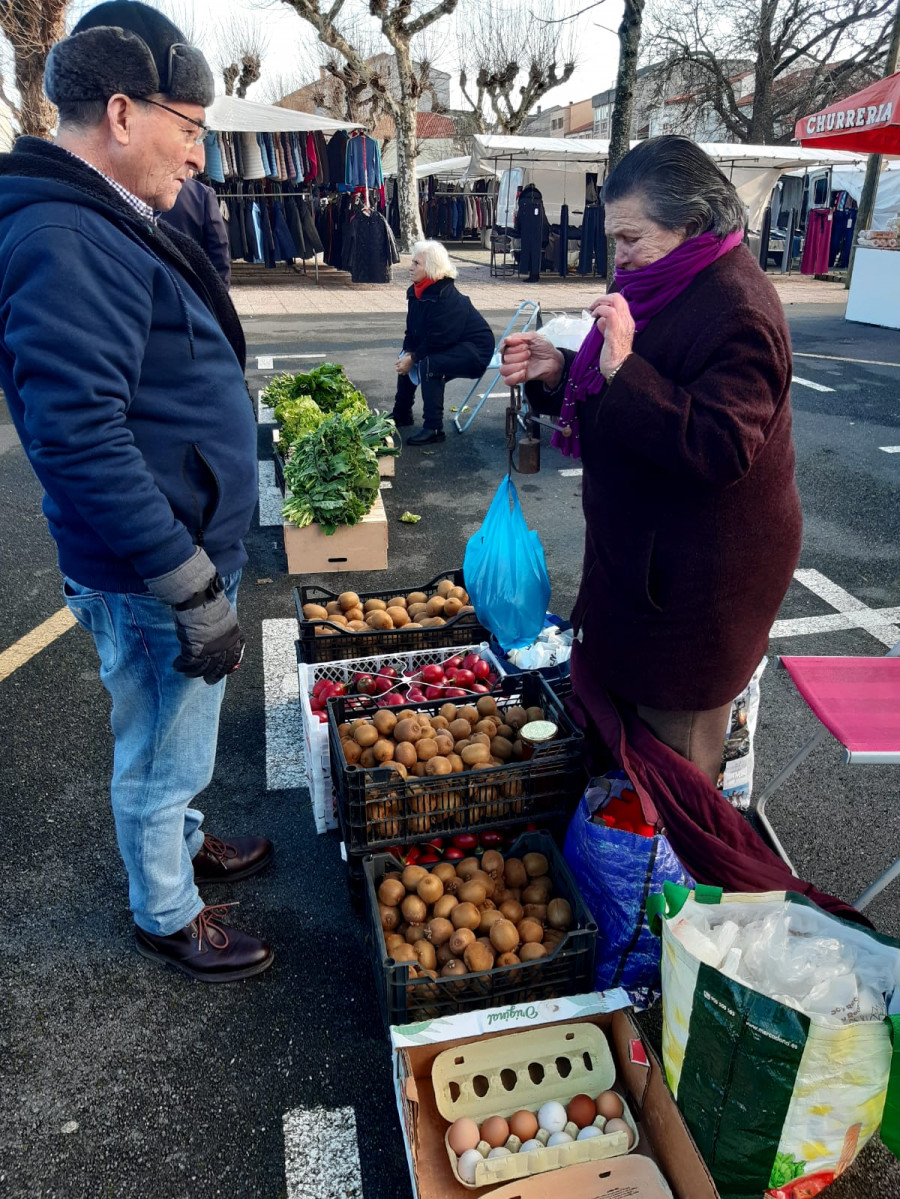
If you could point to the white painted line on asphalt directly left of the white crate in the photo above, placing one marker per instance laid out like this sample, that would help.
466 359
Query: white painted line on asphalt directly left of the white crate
286 766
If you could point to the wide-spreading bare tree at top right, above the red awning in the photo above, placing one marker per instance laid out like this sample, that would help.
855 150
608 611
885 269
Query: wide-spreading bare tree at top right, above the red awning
795 57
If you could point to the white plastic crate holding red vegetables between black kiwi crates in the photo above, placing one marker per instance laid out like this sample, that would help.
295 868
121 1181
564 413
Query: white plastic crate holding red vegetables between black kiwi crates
316 733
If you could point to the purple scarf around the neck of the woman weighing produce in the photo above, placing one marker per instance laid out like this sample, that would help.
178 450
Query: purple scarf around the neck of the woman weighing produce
648 291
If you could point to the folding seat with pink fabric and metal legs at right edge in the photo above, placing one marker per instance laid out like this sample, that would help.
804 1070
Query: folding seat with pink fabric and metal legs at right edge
859 702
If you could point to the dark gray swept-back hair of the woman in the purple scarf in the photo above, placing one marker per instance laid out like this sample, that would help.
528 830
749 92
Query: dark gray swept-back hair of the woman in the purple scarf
680 185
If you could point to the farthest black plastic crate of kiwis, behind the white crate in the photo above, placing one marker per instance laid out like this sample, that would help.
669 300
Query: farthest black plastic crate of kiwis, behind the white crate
463 630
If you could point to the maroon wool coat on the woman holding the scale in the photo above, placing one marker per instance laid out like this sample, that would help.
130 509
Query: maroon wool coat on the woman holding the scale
693 520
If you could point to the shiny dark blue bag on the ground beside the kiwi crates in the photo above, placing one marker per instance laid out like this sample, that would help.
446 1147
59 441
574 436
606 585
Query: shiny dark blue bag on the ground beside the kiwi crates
617 871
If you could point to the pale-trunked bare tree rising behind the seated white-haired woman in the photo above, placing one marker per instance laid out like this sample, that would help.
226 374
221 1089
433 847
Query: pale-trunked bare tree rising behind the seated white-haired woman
400 27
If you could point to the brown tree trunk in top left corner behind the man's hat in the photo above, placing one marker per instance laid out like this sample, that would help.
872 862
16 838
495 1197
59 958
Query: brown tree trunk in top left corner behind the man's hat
32 27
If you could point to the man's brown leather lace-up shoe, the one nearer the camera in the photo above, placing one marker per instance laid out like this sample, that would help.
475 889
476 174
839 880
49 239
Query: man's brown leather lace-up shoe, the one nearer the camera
208 950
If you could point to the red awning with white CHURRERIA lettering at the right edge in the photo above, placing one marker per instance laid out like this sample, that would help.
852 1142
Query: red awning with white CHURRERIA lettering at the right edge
867 123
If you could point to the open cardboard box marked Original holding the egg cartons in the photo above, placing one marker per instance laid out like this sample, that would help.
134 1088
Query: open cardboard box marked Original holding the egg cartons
663 1135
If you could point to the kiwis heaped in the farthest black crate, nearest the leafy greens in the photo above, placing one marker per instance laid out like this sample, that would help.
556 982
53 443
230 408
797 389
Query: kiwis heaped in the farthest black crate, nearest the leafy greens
414 611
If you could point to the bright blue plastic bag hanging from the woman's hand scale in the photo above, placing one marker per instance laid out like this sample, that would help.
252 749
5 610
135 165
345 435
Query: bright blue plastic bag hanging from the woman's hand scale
506 573
